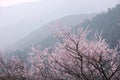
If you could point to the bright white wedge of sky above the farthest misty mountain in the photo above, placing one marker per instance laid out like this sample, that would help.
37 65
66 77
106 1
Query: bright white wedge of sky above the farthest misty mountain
4 3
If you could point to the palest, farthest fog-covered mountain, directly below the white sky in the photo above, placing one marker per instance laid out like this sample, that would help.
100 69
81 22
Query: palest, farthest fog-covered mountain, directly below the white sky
19 20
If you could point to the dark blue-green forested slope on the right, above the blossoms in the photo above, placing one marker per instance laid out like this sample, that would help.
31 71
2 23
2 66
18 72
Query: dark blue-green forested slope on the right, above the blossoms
108 23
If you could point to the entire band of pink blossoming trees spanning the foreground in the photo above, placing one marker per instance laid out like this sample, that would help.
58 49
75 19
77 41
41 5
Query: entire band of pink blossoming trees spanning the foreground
74 57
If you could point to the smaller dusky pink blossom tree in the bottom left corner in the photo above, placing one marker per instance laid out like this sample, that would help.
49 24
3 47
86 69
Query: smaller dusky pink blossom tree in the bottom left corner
12 68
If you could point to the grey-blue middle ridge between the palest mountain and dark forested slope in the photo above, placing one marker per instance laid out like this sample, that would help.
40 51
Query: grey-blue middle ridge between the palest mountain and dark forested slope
47 30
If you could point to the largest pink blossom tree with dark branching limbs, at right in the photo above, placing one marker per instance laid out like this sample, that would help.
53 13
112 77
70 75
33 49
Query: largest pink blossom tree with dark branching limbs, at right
79 58
